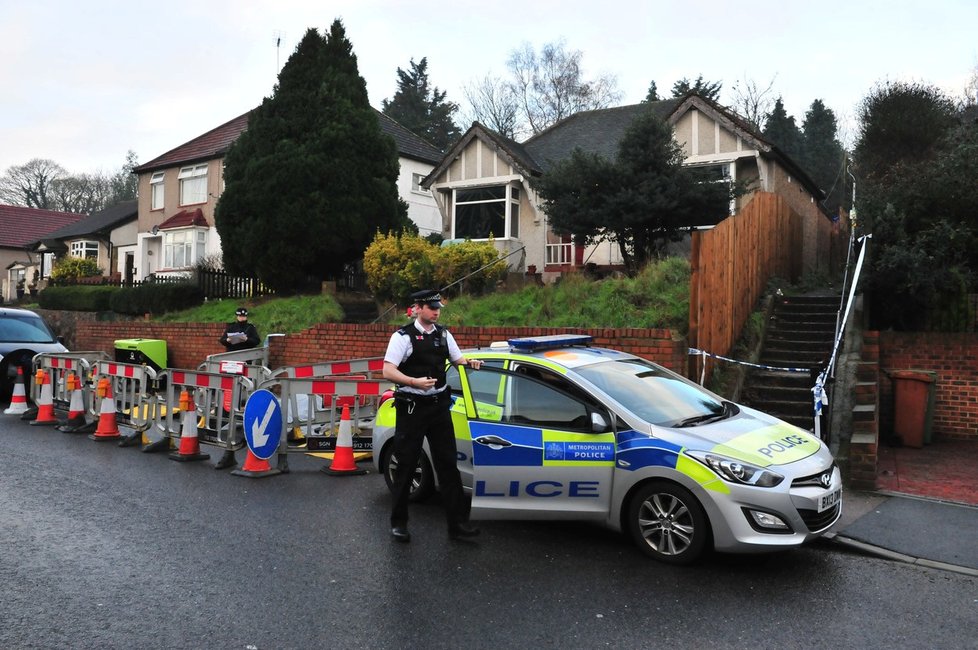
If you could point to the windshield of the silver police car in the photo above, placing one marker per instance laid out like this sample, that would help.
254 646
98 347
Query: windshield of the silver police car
654 394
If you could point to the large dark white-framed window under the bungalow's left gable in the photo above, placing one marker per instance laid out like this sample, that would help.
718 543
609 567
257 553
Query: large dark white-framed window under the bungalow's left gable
482 212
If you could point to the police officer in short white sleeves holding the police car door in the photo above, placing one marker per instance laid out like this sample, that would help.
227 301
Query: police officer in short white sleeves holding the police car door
416 359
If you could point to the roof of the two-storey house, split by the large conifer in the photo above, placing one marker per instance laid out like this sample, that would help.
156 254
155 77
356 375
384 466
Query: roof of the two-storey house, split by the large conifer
216 142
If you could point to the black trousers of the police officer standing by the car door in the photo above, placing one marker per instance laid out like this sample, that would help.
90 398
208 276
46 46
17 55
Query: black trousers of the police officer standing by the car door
416 420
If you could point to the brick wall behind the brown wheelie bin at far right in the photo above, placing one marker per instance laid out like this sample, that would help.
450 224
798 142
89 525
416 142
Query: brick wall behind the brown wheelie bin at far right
954 357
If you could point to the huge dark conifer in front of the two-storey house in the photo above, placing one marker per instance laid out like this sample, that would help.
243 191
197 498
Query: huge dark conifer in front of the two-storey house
313 178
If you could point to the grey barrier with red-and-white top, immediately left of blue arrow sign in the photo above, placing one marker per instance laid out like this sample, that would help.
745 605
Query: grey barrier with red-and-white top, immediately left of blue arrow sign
220 418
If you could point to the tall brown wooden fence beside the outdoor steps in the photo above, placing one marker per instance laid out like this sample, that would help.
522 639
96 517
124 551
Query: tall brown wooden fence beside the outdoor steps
731 265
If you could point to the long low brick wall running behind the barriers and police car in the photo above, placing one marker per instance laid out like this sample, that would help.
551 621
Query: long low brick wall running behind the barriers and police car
189 343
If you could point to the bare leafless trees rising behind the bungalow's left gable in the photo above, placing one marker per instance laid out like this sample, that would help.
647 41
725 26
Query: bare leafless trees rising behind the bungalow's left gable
542 88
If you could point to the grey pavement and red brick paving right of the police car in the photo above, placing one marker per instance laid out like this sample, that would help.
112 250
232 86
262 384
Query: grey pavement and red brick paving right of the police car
924 510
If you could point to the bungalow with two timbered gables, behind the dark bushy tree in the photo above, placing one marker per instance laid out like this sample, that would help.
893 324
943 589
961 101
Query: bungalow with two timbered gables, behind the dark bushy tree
482 183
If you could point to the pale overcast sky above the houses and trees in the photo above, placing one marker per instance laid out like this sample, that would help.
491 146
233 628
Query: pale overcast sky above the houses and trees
84 81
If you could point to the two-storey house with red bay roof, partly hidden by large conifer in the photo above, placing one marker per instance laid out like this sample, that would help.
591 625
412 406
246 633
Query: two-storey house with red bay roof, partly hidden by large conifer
178 193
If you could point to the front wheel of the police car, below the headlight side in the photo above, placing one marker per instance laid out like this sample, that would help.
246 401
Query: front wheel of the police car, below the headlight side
668 523
